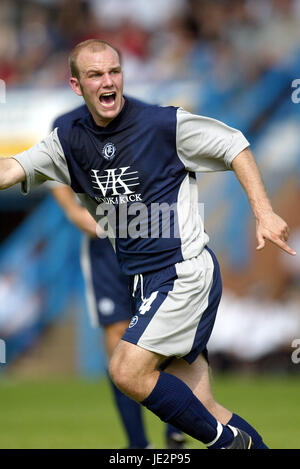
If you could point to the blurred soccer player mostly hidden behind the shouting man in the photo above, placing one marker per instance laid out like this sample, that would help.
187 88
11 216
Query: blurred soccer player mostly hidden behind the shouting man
107 294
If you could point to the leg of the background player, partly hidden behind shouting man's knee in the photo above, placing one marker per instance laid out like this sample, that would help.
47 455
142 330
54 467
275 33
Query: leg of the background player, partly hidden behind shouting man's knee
129 410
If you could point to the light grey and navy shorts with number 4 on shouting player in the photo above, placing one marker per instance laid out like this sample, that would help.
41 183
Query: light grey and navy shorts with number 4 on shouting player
174 309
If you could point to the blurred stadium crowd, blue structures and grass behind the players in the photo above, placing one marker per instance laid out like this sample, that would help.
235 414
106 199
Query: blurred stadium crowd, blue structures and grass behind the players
237 61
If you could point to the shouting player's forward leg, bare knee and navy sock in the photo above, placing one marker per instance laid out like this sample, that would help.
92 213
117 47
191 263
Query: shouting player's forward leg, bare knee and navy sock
135 371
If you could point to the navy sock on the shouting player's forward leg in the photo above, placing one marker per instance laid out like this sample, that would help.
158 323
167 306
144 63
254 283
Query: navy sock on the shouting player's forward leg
174 402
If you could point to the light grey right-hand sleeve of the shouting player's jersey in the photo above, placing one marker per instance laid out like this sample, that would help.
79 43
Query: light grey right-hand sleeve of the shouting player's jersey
205 144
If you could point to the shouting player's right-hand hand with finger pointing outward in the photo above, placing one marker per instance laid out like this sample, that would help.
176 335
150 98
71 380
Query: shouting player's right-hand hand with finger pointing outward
273 228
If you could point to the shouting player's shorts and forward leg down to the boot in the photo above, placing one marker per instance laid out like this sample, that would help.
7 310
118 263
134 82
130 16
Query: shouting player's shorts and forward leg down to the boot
190 290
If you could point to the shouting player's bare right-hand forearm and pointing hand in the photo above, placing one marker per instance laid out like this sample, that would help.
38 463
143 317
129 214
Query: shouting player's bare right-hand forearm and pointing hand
268 224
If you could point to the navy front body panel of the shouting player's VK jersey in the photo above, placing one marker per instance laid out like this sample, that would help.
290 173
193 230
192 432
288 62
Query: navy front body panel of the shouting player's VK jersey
139 136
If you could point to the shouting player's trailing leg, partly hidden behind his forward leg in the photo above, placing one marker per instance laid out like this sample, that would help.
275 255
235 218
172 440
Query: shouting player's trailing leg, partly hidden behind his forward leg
196 376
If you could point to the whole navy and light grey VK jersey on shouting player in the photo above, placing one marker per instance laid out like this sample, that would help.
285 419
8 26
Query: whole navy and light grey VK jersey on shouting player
139 172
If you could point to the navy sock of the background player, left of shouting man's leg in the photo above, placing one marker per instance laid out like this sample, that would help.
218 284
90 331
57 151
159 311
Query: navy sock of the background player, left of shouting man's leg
131 416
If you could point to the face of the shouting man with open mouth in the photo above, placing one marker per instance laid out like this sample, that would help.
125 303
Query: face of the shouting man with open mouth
100 83
